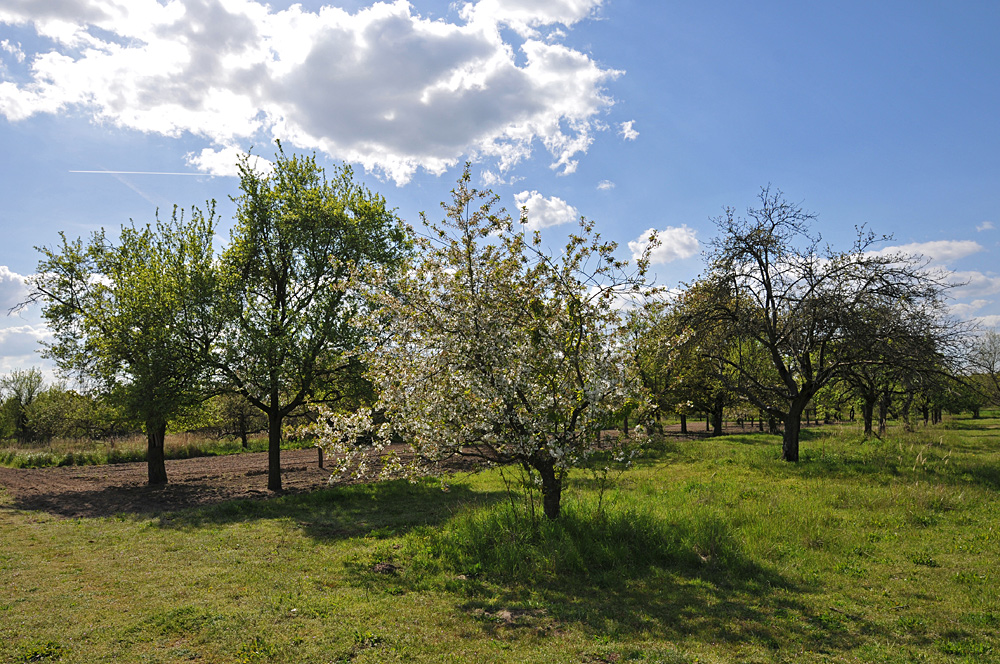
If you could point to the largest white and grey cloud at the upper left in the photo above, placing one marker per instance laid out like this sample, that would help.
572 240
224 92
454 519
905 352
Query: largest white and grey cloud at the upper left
383 87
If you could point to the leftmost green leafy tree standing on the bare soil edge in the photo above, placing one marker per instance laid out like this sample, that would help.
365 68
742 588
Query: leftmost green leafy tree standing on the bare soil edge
124 316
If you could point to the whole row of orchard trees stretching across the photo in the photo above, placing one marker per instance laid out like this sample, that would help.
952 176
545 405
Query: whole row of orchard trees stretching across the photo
469 337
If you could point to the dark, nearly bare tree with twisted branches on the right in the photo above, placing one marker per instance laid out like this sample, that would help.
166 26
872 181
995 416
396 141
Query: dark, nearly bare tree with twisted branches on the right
811 310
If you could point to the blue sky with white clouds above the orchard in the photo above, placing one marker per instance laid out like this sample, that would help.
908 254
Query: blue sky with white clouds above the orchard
639 115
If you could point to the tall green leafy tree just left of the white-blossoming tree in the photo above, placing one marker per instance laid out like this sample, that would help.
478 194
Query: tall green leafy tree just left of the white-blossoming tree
290 286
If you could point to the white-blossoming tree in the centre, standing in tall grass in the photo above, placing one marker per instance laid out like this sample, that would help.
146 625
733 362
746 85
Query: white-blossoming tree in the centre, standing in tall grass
497 350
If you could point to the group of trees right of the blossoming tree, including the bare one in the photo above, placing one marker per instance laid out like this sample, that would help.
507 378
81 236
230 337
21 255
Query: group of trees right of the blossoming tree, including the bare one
781 323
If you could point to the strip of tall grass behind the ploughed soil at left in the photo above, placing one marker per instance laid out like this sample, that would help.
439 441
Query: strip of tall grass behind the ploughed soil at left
131 449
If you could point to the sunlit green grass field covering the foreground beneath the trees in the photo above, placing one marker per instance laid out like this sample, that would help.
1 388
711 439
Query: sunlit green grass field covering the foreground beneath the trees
708 551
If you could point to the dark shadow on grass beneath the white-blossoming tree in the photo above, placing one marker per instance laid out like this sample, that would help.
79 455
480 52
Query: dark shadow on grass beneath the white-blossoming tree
655 581
